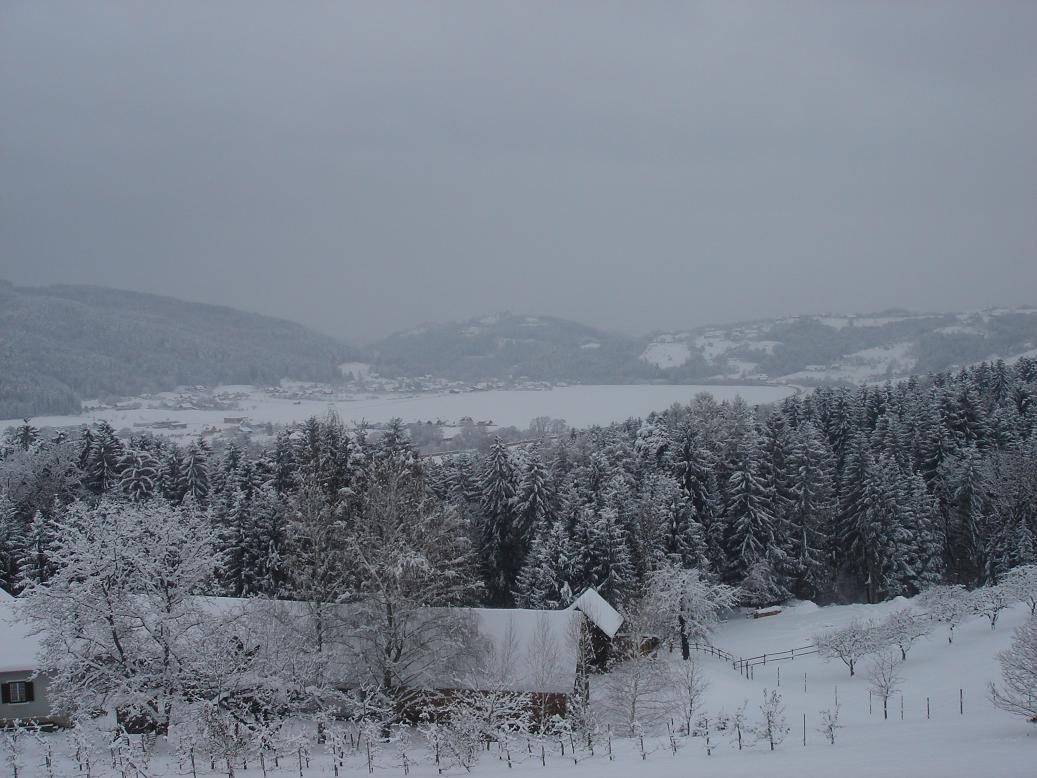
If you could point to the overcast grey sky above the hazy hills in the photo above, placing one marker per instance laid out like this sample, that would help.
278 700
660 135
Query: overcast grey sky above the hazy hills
362 168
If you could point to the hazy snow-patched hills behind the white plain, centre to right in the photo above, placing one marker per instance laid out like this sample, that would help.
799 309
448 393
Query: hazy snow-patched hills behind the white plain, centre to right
808 350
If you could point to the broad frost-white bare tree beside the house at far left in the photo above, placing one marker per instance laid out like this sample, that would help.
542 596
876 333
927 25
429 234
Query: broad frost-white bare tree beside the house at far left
120 623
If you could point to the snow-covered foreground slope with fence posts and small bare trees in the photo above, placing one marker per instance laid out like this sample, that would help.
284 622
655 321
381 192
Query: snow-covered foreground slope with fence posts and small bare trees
945 744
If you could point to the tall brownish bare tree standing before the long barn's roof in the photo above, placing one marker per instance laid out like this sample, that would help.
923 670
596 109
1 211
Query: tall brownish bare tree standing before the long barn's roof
405 553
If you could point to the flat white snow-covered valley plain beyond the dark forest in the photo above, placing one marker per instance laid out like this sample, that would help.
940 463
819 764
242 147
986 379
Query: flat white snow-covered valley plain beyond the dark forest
579 406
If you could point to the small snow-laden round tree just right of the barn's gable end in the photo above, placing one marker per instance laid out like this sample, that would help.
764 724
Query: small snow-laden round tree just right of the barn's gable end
683 605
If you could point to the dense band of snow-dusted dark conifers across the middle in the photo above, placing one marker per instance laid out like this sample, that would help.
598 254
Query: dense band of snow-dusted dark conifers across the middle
837 495
